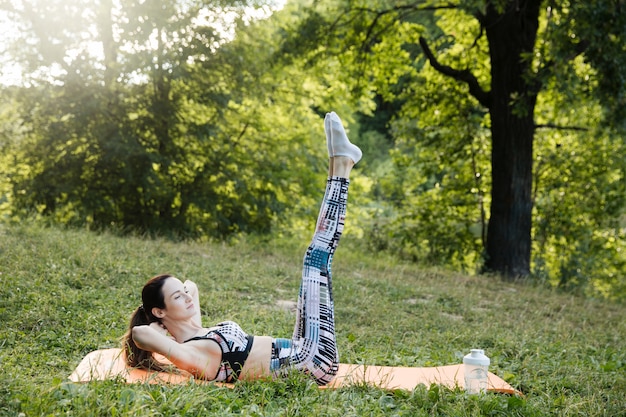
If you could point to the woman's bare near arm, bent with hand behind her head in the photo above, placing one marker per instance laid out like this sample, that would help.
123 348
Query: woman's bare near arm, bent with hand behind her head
202 360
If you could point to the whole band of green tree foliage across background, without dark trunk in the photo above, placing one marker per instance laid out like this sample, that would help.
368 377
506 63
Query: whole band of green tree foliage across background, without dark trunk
180 130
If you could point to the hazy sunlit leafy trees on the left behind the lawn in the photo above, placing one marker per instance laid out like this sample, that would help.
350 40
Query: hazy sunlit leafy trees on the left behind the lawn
171 130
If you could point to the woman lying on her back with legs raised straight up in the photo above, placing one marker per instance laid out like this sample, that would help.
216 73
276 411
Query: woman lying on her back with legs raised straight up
225 352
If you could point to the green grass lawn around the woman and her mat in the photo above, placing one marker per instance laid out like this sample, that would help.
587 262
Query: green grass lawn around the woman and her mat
64 293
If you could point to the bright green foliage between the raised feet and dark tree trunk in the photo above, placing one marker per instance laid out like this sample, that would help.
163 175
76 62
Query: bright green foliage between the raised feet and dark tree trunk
438 185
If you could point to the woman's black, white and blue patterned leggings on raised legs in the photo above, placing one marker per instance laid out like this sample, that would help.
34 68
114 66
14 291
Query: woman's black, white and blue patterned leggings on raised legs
313 348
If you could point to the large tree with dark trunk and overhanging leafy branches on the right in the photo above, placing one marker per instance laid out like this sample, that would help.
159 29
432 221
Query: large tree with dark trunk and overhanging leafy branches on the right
519 46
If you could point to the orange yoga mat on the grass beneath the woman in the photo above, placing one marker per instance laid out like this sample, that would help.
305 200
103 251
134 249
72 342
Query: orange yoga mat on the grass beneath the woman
109 363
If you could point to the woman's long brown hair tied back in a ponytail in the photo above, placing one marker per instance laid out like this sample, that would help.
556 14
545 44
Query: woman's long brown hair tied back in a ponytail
151 296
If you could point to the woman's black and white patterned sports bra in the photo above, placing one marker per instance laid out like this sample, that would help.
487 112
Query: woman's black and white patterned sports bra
235 345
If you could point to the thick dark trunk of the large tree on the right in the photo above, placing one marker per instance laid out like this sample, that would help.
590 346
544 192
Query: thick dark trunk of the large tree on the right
511 35
